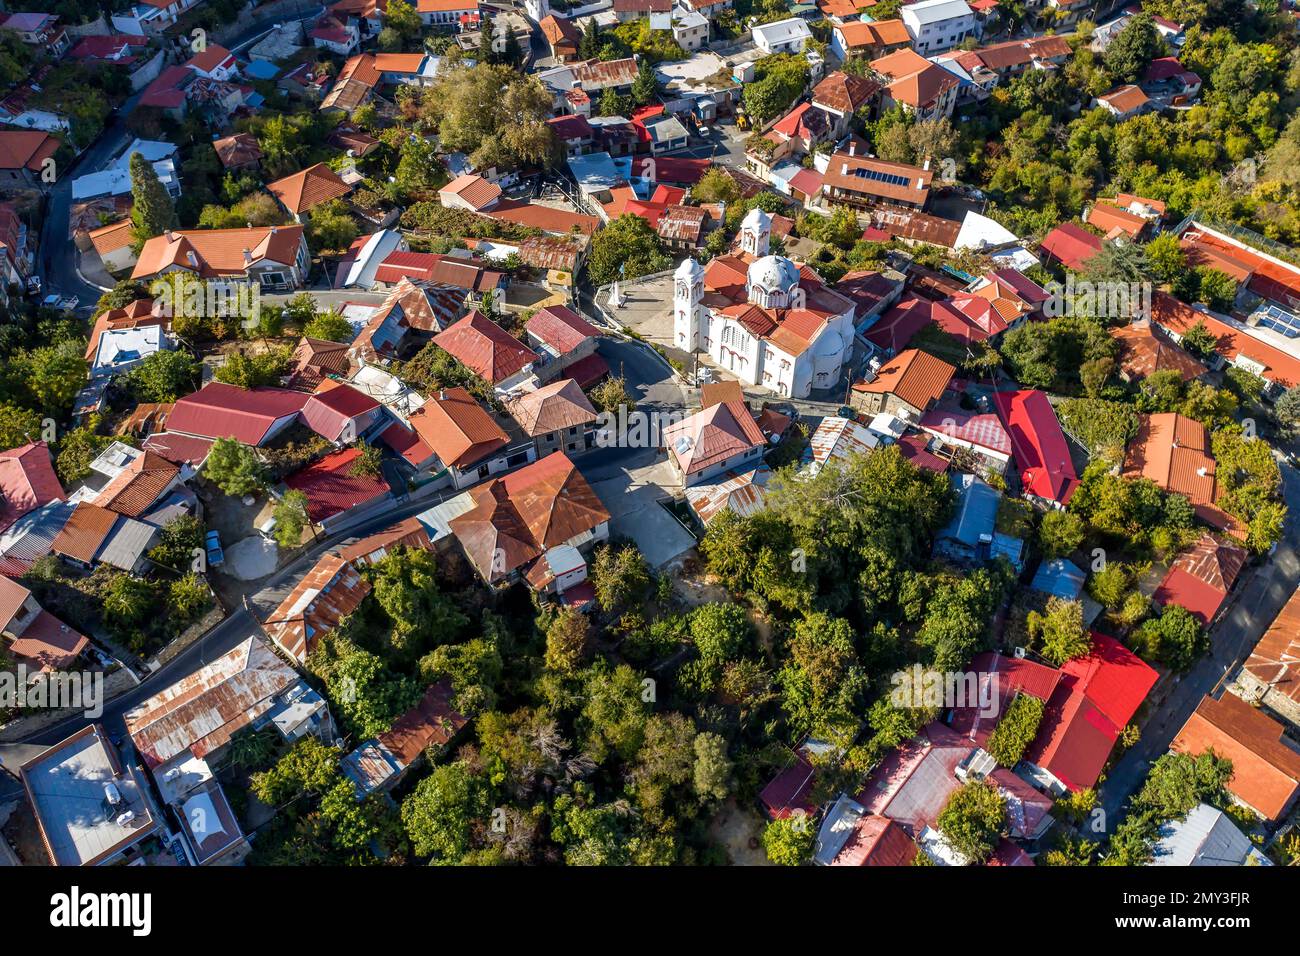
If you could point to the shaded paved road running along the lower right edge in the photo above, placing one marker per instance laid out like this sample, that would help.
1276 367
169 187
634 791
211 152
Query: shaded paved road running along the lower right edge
1268 590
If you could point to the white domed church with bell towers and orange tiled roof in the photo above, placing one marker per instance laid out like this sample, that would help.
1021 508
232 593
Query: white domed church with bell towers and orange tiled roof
762 318
